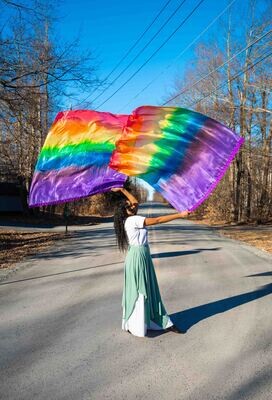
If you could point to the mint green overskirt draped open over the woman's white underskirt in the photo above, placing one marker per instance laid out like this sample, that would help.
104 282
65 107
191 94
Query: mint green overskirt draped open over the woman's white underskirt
140 278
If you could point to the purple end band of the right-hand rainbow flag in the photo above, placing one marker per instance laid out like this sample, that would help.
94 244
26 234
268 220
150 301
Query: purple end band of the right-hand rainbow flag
204 165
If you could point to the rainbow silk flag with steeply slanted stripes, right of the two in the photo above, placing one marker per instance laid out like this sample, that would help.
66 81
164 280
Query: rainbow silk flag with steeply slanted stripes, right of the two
182 154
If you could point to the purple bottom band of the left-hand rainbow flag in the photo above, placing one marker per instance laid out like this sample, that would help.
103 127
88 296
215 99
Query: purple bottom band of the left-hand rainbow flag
60 186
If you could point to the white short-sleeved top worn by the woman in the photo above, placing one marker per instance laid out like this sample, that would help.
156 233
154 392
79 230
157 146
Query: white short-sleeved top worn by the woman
136 231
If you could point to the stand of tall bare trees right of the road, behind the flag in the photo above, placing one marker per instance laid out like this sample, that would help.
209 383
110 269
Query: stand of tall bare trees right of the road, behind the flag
238 93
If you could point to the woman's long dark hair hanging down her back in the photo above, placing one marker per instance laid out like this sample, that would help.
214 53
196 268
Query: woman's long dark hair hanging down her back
120 216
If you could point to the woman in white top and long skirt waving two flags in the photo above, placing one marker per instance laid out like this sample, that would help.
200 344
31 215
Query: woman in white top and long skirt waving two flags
142 304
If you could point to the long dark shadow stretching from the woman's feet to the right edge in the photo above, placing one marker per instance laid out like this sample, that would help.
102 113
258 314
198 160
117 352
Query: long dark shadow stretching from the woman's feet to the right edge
184 320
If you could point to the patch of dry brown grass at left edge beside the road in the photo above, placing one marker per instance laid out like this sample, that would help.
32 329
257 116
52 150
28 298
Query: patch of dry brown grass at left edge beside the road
16 245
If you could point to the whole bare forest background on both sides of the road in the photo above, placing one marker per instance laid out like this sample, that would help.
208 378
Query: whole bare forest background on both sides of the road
228 79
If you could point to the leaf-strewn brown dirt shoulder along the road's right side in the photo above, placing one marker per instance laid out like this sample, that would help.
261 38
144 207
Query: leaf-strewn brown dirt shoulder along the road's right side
259 236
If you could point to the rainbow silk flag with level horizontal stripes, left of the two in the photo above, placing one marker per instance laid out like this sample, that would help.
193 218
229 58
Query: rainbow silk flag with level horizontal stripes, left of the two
74 160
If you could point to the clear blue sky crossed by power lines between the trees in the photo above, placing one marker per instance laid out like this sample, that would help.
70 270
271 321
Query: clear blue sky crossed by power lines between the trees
109 28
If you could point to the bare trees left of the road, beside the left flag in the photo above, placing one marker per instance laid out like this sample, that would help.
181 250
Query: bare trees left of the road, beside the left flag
36 74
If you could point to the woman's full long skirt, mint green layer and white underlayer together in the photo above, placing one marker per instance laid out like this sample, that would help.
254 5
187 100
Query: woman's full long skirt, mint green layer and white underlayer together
142 304
